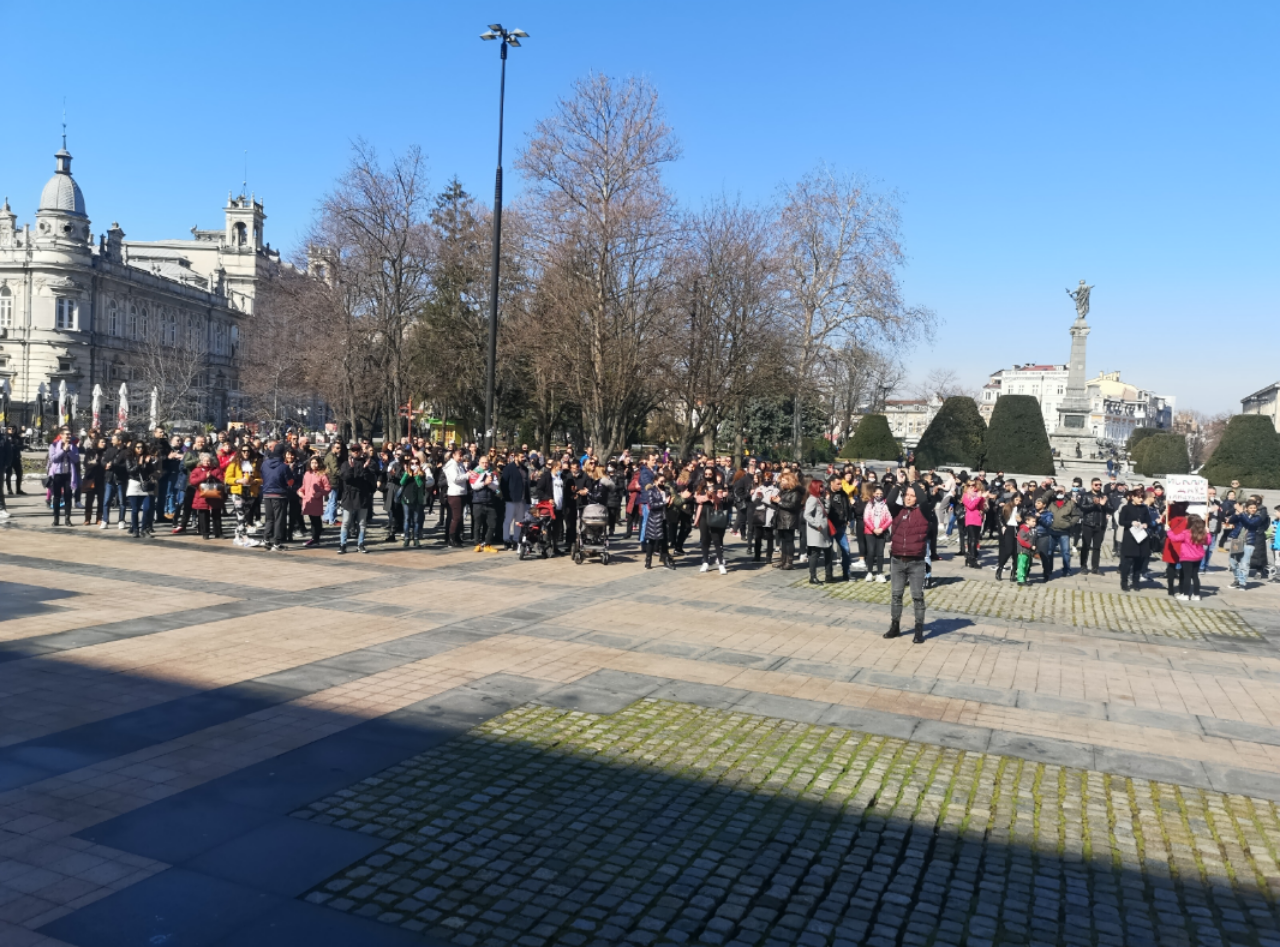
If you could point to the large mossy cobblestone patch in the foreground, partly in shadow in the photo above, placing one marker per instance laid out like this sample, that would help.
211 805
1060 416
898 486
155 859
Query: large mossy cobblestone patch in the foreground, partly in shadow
673 824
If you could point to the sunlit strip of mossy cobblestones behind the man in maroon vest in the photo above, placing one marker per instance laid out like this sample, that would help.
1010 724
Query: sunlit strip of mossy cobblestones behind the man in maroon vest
1141 615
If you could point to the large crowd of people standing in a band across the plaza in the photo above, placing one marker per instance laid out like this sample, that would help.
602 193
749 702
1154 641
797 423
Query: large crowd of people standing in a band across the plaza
872 527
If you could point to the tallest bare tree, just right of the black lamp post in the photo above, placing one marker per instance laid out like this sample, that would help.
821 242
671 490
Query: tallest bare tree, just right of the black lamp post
605 221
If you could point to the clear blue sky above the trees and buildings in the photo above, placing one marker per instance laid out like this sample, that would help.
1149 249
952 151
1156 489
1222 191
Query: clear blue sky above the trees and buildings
1132 144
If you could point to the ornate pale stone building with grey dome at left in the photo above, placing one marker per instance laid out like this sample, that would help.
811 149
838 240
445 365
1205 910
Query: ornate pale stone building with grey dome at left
164 314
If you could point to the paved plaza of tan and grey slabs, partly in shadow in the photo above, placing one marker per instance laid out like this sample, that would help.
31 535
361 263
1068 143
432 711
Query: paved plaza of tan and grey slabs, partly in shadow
204 745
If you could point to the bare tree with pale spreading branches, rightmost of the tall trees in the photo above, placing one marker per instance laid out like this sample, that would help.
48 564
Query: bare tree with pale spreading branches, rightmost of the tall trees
842 255
